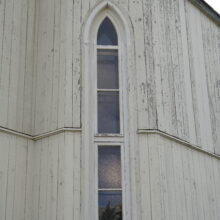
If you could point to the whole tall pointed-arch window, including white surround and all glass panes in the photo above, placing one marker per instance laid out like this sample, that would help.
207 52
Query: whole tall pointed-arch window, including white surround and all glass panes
105 124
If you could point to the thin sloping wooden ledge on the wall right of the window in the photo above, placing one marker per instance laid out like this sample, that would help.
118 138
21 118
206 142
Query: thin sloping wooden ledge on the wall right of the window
178 140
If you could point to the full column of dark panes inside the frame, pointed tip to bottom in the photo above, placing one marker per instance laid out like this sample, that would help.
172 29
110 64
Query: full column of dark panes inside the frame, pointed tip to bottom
109 118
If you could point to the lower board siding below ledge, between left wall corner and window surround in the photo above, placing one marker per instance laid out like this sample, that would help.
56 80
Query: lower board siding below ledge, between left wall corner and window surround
57 178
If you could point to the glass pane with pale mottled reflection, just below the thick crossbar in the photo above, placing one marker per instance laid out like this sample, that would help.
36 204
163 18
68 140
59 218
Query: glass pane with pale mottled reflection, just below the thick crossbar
109 167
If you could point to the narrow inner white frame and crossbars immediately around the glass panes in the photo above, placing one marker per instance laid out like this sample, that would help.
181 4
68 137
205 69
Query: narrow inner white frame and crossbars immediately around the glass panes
111 139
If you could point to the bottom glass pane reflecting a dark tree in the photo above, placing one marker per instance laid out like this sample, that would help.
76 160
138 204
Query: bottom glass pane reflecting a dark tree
110 205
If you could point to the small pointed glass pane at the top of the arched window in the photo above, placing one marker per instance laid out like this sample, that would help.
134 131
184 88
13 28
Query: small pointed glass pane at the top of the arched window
107 34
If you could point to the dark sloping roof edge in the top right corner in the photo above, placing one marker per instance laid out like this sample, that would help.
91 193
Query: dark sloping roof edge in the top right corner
207 9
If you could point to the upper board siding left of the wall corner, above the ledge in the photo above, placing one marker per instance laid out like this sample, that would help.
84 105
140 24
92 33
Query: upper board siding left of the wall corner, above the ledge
16 48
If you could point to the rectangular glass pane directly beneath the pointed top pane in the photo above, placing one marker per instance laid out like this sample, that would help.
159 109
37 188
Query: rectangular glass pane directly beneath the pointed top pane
108 69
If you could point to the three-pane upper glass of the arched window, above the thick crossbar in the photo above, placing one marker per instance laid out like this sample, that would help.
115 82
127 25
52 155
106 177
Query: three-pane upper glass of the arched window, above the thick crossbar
108 90
